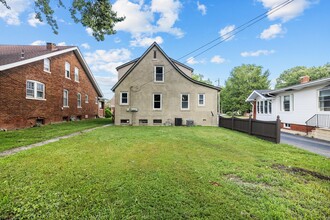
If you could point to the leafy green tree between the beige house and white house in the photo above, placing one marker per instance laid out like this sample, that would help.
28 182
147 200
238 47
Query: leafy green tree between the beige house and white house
241 82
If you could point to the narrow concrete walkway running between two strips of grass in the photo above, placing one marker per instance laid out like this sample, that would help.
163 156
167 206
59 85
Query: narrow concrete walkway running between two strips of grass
19 149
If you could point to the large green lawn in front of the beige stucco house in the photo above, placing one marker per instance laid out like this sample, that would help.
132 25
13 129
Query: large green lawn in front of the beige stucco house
164 173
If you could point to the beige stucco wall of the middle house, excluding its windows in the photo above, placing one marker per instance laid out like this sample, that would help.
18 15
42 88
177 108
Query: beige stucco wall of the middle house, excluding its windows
141 87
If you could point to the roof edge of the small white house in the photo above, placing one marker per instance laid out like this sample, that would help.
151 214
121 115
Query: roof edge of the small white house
267 94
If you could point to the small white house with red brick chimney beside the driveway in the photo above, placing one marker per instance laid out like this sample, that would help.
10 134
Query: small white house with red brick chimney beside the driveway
301 107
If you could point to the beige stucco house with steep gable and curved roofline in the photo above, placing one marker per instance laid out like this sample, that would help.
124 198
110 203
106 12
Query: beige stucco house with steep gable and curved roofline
156 90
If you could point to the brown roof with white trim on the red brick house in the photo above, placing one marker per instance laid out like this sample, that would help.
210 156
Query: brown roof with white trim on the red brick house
10 57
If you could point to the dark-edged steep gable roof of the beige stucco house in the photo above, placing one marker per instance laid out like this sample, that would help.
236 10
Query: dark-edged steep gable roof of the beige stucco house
171 61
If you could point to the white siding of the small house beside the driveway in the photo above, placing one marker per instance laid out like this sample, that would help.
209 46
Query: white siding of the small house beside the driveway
305 105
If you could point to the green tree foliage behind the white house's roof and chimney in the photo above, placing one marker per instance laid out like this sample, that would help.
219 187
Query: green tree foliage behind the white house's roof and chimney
292 76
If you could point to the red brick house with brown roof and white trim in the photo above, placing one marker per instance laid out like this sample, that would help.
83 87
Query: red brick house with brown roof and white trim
44 84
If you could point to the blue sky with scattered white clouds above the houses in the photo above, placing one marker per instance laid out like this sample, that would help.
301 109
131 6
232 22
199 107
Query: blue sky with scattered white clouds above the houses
296 35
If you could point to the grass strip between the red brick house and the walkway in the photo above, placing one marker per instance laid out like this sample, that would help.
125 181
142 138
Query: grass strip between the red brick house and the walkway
22 137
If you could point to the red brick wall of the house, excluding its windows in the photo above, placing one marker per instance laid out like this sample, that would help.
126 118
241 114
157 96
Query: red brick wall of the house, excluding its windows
18 112
